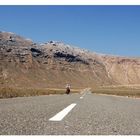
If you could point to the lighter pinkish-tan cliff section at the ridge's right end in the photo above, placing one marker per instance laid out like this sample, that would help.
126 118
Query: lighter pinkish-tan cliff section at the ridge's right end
124 71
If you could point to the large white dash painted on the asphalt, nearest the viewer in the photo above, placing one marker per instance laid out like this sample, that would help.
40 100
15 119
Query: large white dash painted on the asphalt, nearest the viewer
59 116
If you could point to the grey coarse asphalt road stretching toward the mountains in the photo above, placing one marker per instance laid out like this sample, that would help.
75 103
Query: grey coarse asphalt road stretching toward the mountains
91 115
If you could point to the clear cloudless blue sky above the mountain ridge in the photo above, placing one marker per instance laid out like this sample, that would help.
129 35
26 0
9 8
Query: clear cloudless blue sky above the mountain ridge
103 29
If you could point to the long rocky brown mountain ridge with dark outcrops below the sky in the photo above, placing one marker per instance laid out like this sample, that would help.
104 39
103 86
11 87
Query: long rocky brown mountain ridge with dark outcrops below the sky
24 63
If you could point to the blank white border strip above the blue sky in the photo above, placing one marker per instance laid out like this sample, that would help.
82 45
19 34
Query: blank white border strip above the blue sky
69 2
